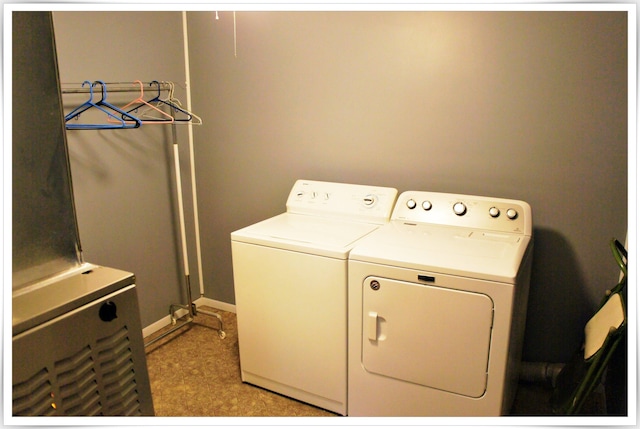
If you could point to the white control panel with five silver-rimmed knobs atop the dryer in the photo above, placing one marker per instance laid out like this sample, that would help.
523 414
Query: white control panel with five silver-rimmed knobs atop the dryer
494 214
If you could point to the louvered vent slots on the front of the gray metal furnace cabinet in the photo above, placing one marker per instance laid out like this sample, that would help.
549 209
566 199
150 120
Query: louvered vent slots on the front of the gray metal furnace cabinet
98 380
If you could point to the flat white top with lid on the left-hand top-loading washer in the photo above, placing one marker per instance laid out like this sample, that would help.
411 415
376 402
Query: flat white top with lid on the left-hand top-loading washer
304 233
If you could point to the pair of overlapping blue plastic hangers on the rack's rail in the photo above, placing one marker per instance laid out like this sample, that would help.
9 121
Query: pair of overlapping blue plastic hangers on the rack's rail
103 106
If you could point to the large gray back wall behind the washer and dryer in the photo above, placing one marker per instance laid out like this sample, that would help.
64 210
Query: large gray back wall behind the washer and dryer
517 105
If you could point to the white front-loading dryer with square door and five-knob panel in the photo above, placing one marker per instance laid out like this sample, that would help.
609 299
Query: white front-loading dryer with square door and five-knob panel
437 307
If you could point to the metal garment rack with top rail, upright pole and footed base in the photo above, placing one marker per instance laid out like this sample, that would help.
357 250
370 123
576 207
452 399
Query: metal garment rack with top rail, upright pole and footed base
190 306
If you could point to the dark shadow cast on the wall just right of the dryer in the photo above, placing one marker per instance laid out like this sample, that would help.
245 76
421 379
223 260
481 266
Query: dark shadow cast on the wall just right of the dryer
558 305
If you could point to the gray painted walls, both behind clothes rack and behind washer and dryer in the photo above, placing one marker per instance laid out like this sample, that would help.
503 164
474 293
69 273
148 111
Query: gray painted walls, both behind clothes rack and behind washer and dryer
516 105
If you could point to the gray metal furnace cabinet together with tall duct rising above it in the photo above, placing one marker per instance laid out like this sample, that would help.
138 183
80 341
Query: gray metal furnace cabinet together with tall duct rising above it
77 346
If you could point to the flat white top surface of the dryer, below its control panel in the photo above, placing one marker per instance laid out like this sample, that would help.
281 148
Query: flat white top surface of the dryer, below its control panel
449 250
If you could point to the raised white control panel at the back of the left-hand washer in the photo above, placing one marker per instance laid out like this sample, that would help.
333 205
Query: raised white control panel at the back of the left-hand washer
361 203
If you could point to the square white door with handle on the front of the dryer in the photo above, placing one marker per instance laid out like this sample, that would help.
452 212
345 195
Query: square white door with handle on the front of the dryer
432 336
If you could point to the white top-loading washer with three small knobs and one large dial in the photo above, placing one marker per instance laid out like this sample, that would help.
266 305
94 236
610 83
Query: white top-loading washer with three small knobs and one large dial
290 278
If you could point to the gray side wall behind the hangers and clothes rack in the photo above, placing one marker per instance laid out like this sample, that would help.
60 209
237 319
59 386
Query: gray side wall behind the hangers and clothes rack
123 179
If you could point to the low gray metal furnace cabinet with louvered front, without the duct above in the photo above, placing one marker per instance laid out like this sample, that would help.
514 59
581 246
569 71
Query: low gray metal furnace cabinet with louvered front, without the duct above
78 348
